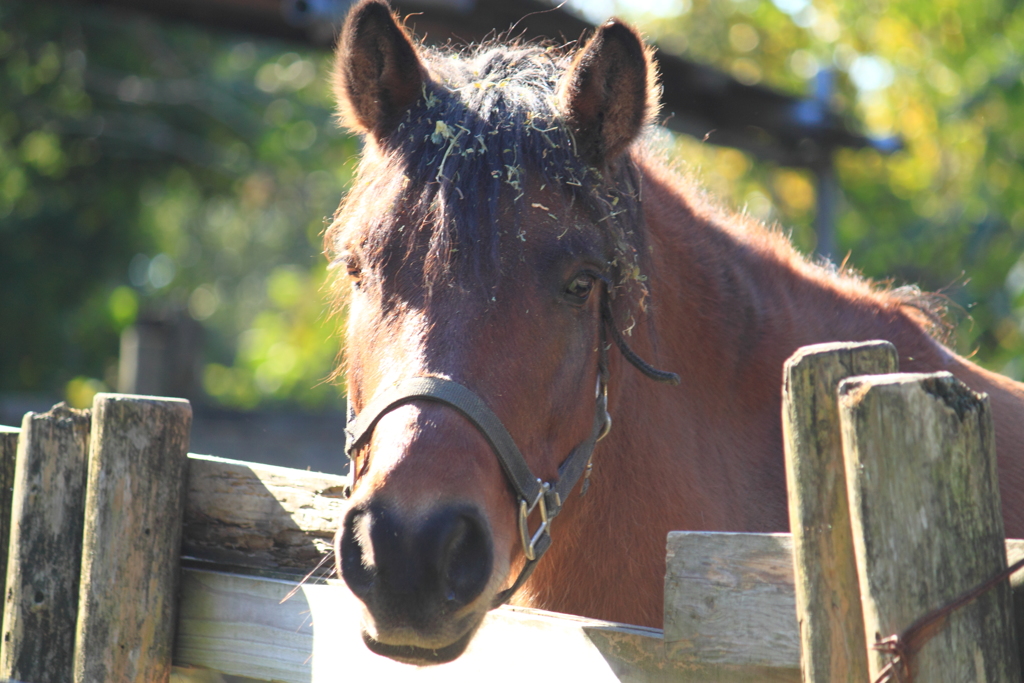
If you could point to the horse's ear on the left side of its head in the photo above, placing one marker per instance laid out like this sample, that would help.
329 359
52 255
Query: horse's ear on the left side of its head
377 72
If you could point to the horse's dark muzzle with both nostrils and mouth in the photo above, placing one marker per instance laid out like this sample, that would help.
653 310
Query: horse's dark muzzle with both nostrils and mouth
421 579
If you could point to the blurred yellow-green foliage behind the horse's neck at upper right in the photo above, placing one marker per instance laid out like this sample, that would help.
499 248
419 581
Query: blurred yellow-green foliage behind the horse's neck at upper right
948 212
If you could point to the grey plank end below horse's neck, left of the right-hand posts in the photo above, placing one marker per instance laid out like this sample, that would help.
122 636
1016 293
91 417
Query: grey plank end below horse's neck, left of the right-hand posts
730 602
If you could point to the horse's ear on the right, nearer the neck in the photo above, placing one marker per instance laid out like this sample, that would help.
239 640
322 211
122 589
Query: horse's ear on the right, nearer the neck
610 93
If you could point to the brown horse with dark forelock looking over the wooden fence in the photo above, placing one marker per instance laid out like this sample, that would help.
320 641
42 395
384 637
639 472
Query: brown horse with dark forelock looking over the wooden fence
507 227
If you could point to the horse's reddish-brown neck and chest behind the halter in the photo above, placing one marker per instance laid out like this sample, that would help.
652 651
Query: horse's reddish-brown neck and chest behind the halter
730 304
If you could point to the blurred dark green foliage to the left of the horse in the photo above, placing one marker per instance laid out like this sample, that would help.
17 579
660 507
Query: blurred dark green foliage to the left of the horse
148 167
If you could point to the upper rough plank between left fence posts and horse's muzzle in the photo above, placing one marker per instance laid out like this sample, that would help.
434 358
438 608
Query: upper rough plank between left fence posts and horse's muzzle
260 516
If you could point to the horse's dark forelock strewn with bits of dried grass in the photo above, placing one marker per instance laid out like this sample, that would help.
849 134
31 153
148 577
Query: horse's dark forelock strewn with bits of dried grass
486 132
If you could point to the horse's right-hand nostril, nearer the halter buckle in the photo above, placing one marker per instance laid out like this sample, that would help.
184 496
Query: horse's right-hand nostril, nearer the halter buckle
464 560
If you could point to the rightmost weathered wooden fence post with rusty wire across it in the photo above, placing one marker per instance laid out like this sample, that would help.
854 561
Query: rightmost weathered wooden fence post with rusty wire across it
920 455
